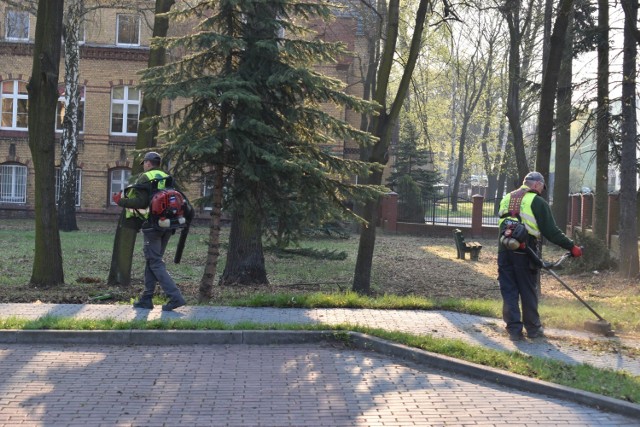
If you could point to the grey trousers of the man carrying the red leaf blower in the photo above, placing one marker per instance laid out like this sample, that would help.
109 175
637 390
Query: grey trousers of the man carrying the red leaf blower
155 271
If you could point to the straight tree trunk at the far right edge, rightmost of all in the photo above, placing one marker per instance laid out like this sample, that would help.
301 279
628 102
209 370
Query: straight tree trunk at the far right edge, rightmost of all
628 168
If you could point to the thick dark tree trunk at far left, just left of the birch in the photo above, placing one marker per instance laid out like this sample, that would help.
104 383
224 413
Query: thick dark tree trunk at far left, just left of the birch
43 98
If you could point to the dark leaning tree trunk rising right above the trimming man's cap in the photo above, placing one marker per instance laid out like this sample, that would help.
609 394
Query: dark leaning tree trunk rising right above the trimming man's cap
550 85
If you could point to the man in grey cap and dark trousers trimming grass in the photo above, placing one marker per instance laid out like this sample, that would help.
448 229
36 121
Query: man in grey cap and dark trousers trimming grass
525 217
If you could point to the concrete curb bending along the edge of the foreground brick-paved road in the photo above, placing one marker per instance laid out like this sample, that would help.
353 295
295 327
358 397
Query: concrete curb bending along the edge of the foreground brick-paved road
354 339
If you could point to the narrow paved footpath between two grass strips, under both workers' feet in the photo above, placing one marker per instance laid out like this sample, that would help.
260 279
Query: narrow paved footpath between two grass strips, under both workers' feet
566 346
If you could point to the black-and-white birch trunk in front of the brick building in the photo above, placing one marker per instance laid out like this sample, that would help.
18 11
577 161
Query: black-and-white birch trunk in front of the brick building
69 151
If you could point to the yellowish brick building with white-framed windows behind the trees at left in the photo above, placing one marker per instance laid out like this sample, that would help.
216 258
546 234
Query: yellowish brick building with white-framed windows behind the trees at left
115 47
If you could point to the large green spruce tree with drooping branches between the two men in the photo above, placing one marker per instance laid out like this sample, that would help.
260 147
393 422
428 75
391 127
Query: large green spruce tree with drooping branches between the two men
255 109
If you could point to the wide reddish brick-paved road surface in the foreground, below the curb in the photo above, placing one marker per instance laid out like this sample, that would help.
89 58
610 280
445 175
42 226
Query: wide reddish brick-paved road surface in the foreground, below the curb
239 385
